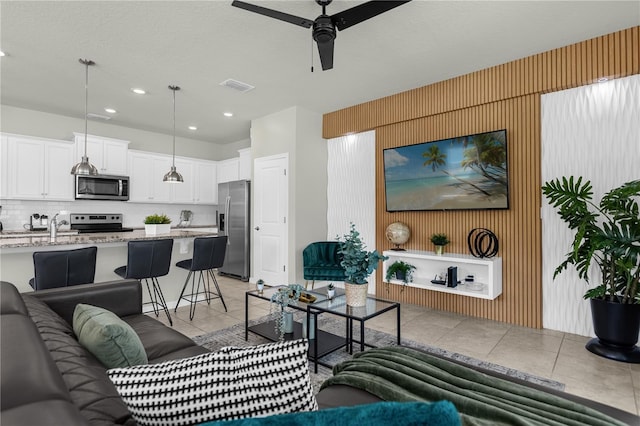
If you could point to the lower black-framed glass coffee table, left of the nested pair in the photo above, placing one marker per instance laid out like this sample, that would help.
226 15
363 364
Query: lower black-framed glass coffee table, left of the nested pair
324 342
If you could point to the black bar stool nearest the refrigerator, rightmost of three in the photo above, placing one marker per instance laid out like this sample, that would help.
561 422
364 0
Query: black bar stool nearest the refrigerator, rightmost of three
208 254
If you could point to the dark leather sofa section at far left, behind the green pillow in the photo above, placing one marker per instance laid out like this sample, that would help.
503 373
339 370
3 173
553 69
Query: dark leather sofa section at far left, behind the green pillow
48 378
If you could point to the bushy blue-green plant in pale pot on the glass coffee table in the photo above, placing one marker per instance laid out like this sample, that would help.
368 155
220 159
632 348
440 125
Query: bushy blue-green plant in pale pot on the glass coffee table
358 264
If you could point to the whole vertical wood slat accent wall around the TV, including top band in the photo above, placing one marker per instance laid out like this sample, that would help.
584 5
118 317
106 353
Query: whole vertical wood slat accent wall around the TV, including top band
502 97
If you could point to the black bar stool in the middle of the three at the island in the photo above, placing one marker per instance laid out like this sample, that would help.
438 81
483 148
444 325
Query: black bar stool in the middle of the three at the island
148 260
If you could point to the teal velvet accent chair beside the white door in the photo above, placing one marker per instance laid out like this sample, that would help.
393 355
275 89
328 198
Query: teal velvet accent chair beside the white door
321 262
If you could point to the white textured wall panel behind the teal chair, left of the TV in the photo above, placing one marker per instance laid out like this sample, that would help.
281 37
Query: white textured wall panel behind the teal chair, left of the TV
351 188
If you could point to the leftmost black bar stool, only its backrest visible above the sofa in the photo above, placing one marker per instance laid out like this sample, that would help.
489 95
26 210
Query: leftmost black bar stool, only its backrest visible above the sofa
63 268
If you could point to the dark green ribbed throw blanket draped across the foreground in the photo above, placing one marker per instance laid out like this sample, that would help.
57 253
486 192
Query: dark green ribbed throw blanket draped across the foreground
404 374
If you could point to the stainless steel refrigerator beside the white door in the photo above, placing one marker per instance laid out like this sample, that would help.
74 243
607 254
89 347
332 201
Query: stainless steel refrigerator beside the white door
233 221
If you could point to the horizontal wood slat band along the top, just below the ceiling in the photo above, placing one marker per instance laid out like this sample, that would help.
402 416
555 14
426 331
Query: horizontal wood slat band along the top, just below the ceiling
614 55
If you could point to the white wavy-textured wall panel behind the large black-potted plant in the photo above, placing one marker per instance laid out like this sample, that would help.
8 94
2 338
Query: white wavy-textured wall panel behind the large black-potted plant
591 131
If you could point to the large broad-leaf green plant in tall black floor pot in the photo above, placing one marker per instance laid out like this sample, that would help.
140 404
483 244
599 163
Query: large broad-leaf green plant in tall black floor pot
607 235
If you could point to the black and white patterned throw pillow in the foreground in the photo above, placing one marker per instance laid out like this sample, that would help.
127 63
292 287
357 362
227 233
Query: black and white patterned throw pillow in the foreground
232 383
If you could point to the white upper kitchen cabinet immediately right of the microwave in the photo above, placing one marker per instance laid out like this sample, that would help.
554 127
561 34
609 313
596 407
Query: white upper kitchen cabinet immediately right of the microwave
146 171
